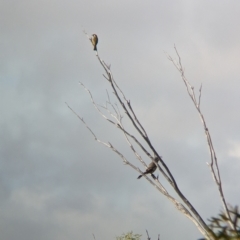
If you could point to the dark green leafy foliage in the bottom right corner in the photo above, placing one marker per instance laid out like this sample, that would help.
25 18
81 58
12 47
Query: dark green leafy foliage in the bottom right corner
220 226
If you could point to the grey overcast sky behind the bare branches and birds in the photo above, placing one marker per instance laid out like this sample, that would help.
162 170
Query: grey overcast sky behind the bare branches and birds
56 182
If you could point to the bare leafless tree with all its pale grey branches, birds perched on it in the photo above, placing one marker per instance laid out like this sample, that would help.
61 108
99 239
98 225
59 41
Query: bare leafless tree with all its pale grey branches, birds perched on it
111 113
